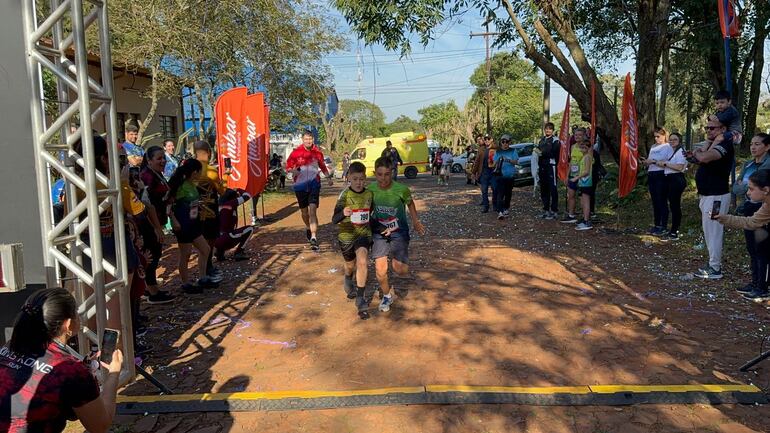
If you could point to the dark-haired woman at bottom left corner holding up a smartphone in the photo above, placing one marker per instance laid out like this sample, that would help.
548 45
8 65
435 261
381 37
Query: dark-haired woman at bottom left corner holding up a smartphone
42 385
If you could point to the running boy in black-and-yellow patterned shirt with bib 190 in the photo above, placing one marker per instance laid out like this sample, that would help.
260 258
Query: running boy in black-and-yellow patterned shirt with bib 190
352 214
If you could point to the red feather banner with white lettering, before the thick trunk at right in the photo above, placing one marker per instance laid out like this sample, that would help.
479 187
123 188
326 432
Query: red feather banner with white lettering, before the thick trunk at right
629 139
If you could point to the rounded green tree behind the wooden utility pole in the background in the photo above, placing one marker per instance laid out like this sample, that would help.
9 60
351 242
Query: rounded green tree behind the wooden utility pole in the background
516 95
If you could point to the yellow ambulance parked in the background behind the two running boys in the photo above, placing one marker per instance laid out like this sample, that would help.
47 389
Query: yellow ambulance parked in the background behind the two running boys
413 149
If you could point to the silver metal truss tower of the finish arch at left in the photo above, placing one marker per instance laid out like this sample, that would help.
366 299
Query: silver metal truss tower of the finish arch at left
56 46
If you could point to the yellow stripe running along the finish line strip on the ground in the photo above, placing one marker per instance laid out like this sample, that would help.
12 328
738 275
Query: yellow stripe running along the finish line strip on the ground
545 390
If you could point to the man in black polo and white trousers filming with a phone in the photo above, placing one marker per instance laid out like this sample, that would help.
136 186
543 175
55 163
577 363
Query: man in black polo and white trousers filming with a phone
715 160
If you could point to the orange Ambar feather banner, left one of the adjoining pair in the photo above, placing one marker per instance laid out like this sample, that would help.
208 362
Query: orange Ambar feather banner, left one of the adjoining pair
229 122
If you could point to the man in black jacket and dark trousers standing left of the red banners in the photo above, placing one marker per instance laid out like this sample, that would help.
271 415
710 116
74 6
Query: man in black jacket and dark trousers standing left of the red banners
548 158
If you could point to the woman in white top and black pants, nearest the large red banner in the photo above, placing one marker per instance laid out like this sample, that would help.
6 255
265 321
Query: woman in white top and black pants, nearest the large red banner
656 181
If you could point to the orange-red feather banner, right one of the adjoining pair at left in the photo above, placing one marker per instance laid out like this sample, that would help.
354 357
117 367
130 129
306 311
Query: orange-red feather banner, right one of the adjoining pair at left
254 138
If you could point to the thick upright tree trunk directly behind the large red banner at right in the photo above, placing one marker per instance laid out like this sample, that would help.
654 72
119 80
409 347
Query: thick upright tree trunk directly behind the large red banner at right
653 33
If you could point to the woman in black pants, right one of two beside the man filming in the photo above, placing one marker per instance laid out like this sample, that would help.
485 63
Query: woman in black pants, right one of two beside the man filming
675 184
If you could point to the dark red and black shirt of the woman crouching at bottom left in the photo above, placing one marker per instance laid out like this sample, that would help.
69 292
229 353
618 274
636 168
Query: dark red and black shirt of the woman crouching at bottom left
38 394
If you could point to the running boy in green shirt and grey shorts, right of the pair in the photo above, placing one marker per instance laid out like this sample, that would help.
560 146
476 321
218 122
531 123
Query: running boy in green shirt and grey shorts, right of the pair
390 227
